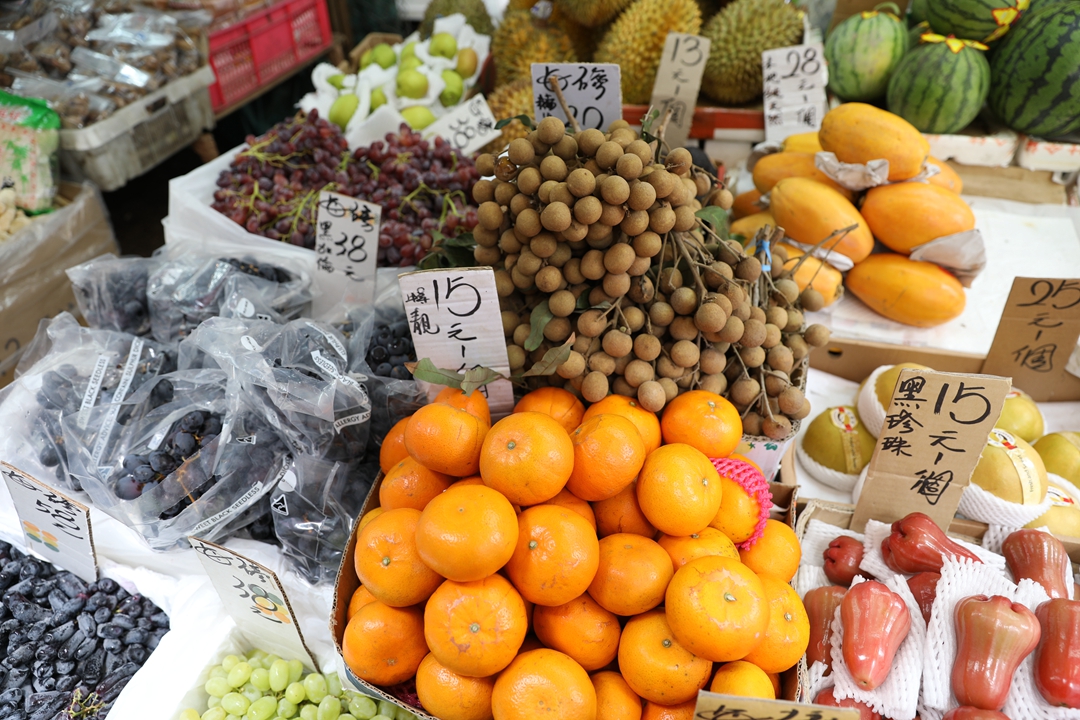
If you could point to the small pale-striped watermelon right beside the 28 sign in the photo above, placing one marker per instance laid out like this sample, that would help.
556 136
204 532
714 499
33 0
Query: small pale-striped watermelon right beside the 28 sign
862 53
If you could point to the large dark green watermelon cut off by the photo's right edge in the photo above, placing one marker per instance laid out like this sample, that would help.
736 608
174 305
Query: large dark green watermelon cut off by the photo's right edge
1036 73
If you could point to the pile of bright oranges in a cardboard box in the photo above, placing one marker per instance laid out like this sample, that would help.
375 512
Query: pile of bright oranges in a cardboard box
580 562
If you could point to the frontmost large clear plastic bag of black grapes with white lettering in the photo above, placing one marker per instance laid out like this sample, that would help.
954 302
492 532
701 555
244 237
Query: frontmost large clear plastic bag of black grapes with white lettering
191 467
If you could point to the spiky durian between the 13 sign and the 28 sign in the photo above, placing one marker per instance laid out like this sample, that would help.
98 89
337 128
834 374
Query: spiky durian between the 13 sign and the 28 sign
739 34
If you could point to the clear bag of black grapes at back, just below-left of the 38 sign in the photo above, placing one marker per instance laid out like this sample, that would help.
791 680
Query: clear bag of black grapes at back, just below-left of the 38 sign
184 293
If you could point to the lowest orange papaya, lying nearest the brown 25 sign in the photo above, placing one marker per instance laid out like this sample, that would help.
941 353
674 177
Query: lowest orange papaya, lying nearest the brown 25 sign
907 291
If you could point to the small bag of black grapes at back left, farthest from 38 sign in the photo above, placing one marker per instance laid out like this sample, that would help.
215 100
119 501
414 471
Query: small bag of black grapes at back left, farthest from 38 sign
112 293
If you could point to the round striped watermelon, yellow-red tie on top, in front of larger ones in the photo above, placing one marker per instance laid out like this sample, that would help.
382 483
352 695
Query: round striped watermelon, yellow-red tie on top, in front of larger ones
941 87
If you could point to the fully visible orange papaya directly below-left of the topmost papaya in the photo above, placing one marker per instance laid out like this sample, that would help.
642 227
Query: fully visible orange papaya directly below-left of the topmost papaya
809 212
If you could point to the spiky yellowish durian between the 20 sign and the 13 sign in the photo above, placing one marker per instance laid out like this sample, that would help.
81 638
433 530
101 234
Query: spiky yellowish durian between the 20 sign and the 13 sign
637 42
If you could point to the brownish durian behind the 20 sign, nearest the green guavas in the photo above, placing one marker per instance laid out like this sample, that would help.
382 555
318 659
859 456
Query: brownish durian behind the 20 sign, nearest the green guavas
522 40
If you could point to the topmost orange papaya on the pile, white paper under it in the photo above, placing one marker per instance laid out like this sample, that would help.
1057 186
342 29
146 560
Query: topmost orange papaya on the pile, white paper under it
859 133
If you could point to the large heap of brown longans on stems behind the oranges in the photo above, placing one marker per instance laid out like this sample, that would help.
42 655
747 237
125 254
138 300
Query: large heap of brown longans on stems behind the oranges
591 238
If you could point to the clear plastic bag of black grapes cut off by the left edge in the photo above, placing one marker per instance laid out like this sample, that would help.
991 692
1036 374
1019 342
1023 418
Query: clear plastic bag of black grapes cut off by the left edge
71 372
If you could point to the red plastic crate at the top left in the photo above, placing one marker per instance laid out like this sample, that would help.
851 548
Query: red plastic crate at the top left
254 52
